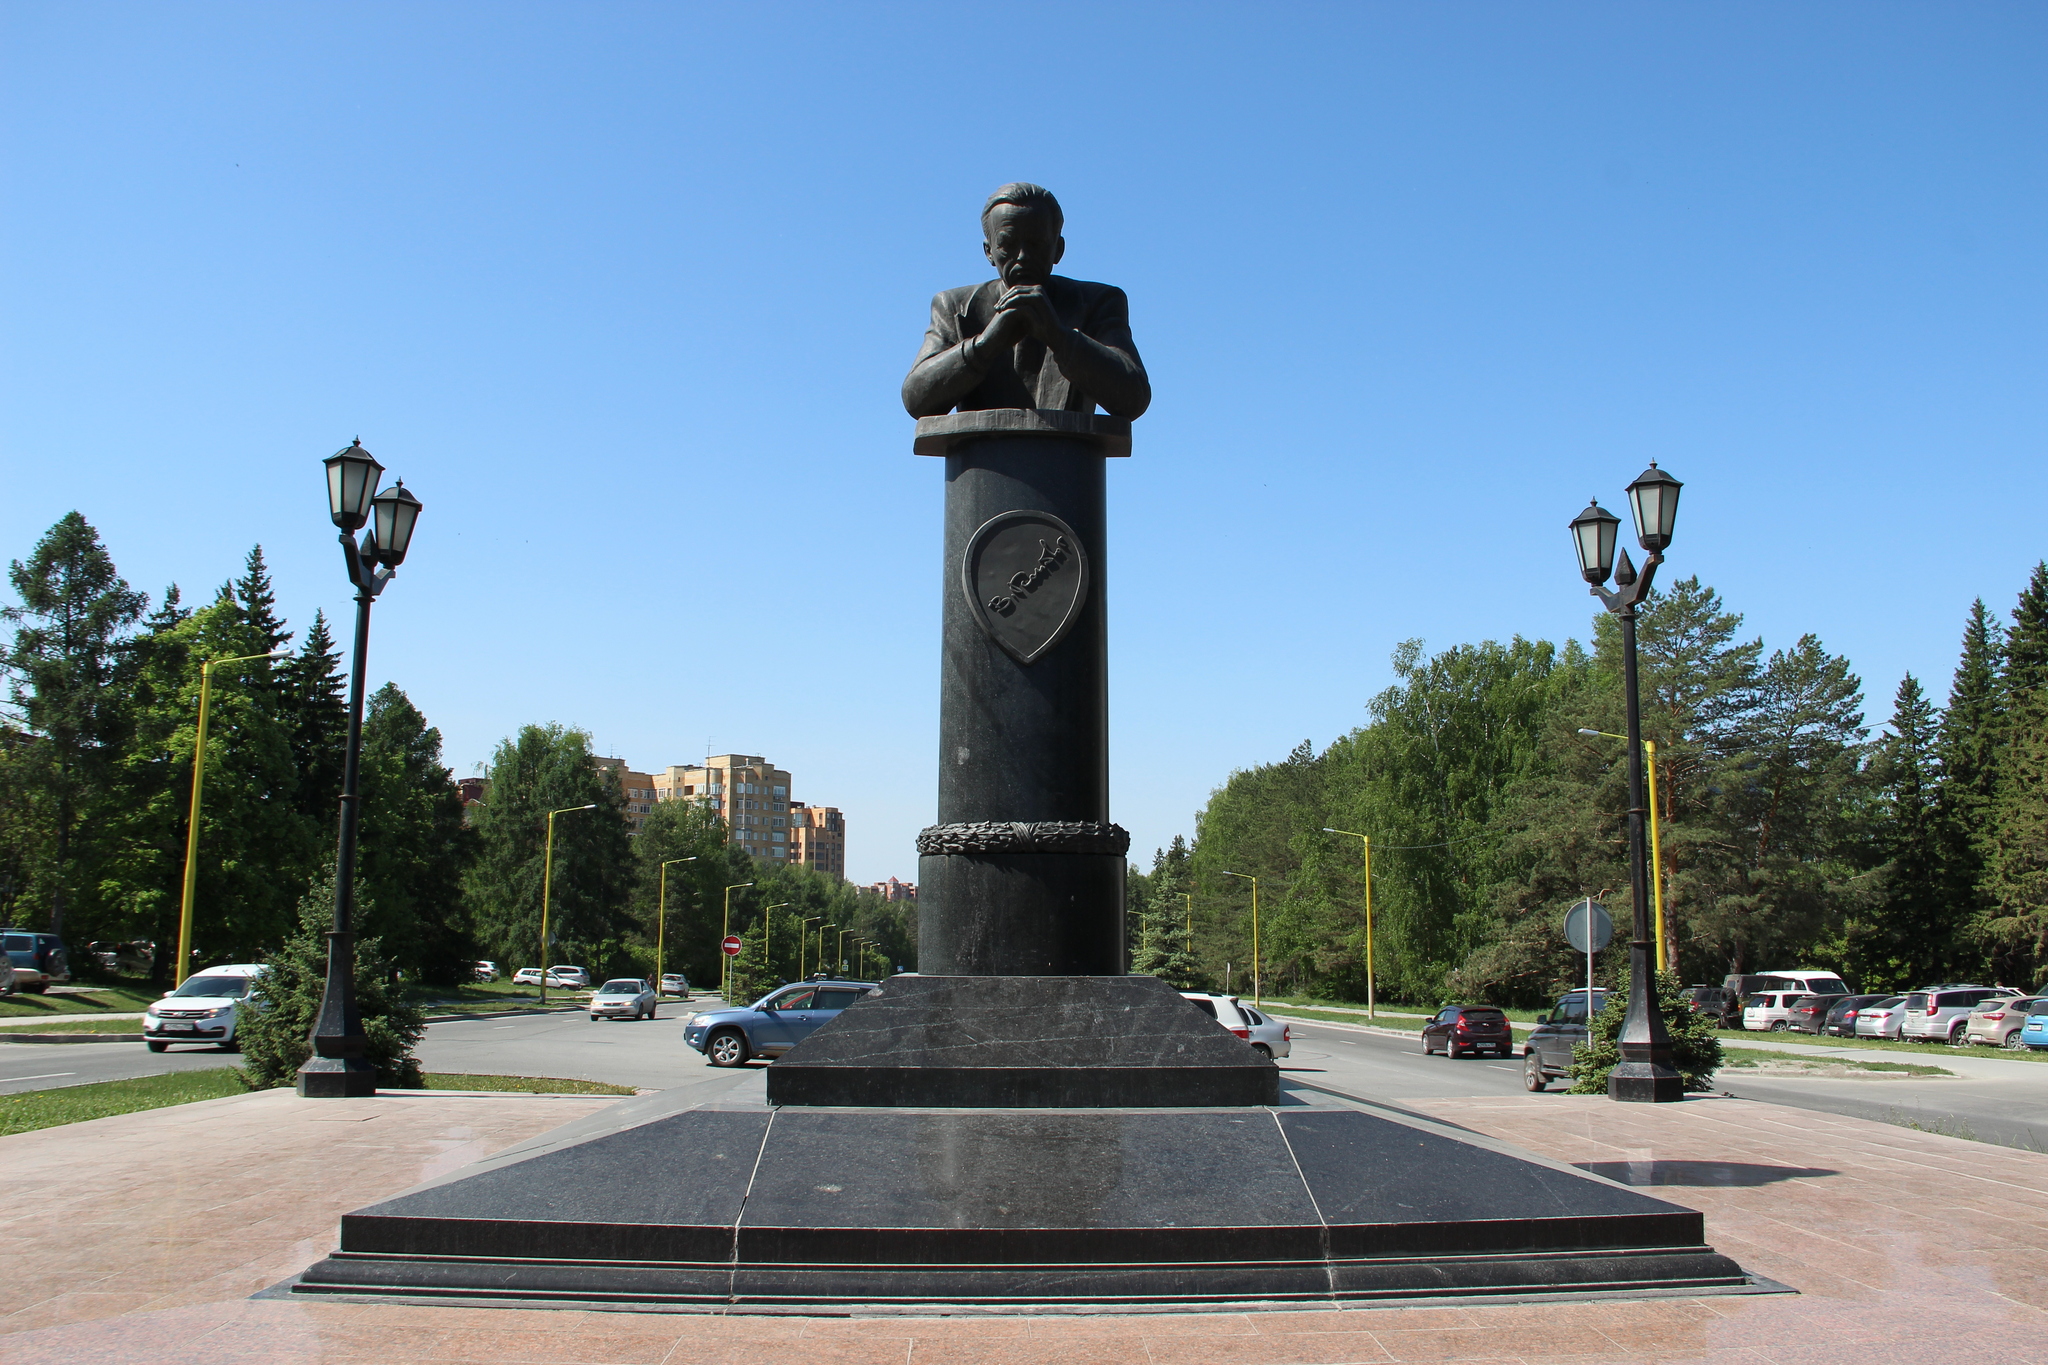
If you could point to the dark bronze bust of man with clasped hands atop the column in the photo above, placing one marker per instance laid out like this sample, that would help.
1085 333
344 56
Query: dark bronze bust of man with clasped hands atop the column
1027 339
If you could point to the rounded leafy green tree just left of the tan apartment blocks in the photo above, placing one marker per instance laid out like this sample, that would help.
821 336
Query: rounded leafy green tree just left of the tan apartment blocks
552 768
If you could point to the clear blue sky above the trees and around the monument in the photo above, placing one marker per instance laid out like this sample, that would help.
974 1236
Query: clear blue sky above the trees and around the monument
626 294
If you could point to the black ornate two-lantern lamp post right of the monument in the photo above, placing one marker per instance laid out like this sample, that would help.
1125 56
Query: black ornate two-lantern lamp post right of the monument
1646 1073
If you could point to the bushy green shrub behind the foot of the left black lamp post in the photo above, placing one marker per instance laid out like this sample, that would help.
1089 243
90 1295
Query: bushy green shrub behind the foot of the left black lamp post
278 1041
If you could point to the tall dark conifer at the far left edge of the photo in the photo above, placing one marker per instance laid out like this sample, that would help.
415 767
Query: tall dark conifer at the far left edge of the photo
71 625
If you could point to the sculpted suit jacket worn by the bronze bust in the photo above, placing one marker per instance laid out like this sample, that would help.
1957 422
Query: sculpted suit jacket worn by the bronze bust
1105 359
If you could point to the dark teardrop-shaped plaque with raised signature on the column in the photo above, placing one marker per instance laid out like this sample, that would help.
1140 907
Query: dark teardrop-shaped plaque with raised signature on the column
1027 582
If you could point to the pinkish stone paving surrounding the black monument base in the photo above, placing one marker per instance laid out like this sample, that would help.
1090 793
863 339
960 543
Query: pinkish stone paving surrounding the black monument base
140 1239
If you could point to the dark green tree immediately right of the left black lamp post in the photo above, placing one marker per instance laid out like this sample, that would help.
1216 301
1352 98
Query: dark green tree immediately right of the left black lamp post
415 846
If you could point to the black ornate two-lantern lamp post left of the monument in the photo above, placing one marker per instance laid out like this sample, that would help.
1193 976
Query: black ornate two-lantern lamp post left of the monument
337 1069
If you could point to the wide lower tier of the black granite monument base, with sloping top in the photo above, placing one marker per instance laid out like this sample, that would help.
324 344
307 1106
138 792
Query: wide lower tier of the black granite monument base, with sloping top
755 1206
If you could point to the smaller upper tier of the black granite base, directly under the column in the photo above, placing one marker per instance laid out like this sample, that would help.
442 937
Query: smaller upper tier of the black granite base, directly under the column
1056 1043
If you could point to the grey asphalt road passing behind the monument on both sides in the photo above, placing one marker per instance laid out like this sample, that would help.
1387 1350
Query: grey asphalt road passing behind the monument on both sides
1998 1102
